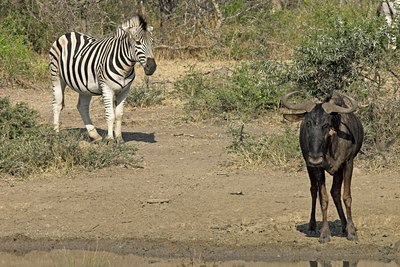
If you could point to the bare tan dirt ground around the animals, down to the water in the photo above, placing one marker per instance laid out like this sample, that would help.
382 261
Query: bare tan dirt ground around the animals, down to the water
187 201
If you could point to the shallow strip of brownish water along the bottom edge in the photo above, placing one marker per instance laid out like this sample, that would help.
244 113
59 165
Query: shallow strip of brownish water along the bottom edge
69 258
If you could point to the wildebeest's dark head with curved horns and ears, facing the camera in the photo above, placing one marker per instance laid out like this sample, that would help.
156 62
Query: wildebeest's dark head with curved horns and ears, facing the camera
320 123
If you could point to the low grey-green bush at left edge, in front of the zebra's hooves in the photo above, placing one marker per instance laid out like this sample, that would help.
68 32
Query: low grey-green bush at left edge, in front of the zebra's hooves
27 147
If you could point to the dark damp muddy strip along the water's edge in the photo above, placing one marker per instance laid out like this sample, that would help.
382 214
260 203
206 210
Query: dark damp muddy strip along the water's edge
283 252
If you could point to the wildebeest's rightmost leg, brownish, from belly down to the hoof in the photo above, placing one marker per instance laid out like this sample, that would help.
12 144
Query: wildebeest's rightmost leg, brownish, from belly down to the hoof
347 175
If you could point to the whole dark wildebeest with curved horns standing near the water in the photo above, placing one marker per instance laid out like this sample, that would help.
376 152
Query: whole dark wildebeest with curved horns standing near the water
331 135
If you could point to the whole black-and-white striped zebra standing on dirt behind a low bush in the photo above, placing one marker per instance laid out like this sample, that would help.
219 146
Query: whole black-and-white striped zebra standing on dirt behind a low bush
100 67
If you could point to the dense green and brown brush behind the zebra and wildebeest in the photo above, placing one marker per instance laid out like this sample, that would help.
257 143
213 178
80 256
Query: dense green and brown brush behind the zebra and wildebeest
281 45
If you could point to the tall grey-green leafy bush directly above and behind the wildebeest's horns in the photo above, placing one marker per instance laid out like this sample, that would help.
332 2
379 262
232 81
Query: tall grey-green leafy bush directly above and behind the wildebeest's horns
336 57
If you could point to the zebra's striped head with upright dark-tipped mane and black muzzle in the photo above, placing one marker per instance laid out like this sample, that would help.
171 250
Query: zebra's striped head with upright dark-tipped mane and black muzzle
141 39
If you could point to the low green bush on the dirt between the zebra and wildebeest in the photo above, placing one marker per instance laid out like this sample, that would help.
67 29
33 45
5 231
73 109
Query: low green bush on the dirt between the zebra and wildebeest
245 91
